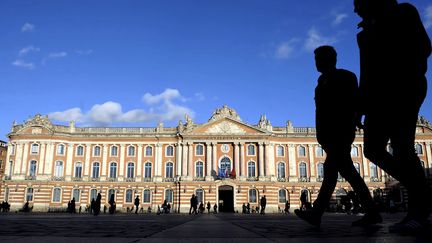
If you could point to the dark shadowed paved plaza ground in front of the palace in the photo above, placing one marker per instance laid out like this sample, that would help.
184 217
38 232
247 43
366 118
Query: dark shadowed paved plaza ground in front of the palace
193 228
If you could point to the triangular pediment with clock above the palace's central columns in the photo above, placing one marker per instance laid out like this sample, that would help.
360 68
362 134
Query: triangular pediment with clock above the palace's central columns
226 126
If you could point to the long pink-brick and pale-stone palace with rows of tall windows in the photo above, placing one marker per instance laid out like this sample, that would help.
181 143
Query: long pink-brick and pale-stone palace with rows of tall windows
224 161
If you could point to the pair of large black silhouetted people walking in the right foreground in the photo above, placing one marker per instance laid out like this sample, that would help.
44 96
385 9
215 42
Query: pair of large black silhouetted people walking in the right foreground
394 48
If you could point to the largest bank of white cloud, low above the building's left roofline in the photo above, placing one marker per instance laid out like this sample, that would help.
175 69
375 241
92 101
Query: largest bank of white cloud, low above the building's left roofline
160 107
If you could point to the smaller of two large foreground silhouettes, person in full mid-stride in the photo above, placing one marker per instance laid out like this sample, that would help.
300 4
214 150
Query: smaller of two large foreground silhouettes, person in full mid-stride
336 119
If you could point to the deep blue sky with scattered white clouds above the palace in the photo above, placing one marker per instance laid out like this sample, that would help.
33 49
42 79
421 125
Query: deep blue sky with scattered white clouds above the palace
136 63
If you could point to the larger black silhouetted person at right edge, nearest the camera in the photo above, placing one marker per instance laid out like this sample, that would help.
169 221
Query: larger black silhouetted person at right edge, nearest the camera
394 48
